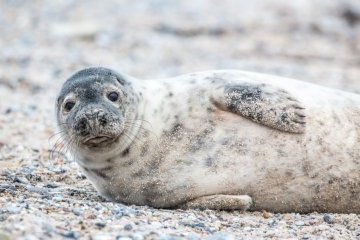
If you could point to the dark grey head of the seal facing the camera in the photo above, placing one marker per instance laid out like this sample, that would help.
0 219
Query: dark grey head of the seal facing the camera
92 108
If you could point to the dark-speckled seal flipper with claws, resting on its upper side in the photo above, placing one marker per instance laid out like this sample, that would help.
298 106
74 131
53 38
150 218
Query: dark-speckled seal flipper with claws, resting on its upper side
262 103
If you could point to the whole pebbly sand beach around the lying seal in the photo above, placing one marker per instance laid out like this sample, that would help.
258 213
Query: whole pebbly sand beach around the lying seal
42 193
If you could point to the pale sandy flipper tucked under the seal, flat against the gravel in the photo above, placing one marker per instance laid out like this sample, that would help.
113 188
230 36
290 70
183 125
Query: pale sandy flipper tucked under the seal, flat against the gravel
220 202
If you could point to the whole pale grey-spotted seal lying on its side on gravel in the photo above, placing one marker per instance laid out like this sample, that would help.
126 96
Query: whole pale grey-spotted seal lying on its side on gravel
214 140
